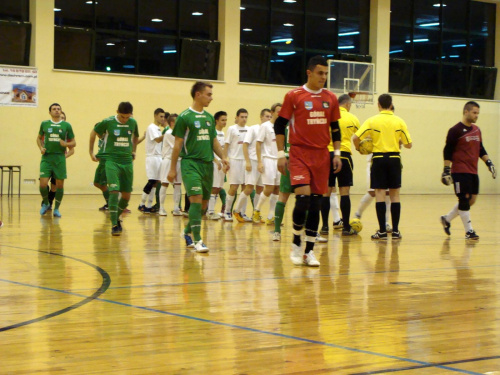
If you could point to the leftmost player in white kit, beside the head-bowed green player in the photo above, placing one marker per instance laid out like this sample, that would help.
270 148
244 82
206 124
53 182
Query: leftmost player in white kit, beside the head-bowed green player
153 160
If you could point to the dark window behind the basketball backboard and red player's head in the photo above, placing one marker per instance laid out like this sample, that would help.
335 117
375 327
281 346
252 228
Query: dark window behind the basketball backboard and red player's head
279 36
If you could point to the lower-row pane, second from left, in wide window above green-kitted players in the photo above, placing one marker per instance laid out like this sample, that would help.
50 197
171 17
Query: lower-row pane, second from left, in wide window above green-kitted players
115 53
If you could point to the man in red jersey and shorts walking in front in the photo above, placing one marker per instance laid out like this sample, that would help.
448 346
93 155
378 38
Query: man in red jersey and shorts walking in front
313 113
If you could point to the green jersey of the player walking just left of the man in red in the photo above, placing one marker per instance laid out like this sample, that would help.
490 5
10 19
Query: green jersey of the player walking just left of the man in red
198 131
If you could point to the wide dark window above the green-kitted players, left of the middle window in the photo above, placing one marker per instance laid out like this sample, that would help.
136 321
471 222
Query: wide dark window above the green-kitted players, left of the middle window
151 37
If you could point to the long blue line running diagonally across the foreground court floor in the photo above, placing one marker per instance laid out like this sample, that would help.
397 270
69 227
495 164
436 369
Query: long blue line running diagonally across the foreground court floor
254 330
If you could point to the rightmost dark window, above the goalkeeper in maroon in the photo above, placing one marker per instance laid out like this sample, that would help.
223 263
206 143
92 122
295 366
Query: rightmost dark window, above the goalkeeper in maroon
442 47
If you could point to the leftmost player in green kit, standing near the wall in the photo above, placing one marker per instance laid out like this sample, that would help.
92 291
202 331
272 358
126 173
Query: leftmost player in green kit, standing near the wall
53 138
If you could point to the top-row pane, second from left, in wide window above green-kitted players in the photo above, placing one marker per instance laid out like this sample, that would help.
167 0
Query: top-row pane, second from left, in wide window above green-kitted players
116 15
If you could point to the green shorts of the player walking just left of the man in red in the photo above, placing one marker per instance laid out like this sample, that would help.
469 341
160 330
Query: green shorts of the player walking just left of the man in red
197 177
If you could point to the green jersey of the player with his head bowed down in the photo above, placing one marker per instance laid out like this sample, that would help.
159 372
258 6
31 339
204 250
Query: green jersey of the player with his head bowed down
118 139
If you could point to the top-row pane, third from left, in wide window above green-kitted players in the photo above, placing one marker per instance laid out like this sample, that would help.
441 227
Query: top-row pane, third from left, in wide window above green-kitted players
158 17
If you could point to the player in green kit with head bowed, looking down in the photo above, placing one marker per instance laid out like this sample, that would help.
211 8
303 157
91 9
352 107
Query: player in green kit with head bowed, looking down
120 134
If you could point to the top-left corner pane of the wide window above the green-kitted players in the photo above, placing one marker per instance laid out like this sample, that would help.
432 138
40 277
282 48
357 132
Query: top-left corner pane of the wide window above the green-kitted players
76 13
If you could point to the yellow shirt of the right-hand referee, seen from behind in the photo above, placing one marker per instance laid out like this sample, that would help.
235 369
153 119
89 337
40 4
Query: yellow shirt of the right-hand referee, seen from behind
386 130
